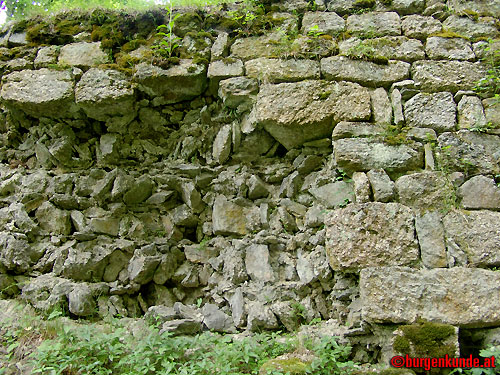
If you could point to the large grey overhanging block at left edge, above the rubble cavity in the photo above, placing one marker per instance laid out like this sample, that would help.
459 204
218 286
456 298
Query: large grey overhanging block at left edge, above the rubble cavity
40 91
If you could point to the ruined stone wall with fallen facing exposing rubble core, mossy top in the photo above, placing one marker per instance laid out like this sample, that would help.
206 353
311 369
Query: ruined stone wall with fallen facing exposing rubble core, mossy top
289 162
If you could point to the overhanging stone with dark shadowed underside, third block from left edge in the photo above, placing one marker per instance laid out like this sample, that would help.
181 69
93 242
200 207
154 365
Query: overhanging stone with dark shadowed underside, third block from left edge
175 84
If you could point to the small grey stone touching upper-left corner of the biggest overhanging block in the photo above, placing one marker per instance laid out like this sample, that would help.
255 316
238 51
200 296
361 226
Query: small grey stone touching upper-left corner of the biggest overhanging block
237 91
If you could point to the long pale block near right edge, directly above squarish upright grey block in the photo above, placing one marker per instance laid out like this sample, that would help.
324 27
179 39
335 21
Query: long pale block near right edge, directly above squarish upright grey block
447 75
